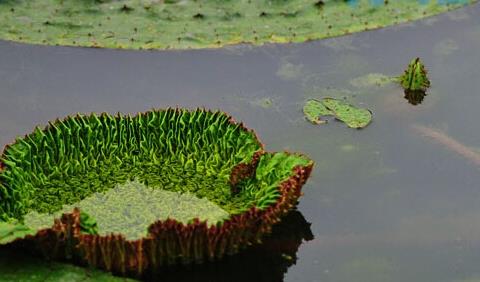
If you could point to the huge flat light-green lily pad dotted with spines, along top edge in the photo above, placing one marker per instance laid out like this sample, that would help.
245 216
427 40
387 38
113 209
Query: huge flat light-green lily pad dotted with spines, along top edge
151 24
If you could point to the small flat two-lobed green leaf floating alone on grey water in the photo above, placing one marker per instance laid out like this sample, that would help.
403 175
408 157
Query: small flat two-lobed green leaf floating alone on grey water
352 116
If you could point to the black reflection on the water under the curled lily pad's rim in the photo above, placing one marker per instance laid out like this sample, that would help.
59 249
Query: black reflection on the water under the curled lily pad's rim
263 263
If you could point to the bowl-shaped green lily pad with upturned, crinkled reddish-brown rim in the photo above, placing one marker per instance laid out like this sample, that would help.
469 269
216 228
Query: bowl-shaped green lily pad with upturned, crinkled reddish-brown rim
201 153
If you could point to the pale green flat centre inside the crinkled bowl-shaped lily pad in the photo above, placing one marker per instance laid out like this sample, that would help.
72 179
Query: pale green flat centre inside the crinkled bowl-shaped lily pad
131 207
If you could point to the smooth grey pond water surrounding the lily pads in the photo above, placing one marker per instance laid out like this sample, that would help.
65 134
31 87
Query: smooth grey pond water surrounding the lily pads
386 203
